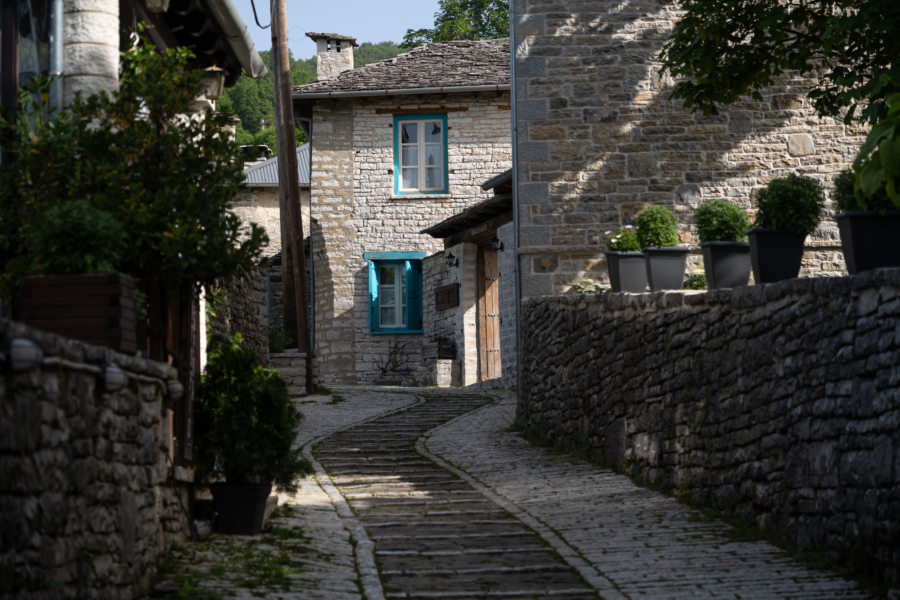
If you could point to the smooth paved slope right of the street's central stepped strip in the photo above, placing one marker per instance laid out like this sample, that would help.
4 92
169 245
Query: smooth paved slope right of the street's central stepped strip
645 545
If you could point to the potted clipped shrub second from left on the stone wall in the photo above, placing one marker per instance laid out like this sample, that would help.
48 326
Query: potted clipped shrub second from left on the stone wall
663 258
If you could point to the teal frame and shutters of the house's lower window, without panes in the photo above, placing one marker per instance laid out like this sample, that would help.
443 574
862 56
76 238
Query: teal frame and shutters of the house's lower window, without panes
412 264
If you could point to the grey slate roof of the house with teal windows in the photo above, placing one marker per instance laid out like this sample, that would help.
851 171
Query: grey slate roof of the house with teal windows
433 67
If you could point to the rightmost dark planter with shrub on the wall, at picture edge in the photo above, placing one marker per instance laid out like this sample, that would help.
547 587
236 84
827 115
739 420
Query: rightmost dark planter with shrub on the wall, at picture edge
869 226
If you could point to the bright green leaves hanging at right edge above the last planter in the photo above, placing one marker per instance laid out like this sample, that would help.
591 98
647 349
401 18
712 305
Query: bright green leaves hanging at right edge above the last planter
878 162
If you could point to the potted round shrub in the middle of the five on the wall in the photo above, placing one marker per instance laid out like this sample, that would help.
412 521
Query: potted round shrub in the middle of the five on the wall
726 256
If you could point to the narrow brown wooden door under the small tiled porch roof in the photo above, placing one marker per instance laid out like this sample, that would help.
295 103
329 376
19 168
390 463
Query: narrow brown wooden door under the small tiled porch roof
488 313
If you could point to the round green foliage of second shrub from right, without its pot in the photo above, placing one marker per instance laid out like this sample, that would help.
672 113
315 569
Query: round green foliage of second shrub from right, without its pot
793 204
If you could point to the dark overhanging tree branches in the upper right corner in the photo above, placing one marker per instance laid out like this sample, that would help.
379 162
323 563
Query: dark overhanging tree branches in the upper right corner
723 49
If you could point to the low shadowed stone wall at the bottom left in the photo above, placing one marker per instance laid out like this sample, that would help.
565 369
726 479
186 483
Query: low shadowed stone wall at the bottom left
87 500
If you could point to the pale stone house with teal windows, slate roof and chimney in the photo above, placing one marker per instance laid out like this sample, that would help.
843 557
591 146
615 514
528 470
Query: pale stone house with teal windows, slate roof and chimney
396 146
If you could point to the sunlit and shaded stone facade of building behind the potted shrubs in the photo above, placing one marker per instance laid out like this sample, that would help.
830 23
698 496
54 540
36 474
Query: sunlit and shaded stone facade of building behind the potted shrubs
598 139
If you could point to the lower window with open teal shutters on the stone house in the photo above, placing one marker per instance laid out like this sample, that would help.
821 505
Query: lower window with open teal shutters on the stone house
395 291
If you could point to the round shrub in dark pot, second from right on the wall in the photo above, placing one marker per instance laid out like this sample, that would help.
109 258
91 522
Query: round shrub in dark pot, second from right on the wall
788 209
